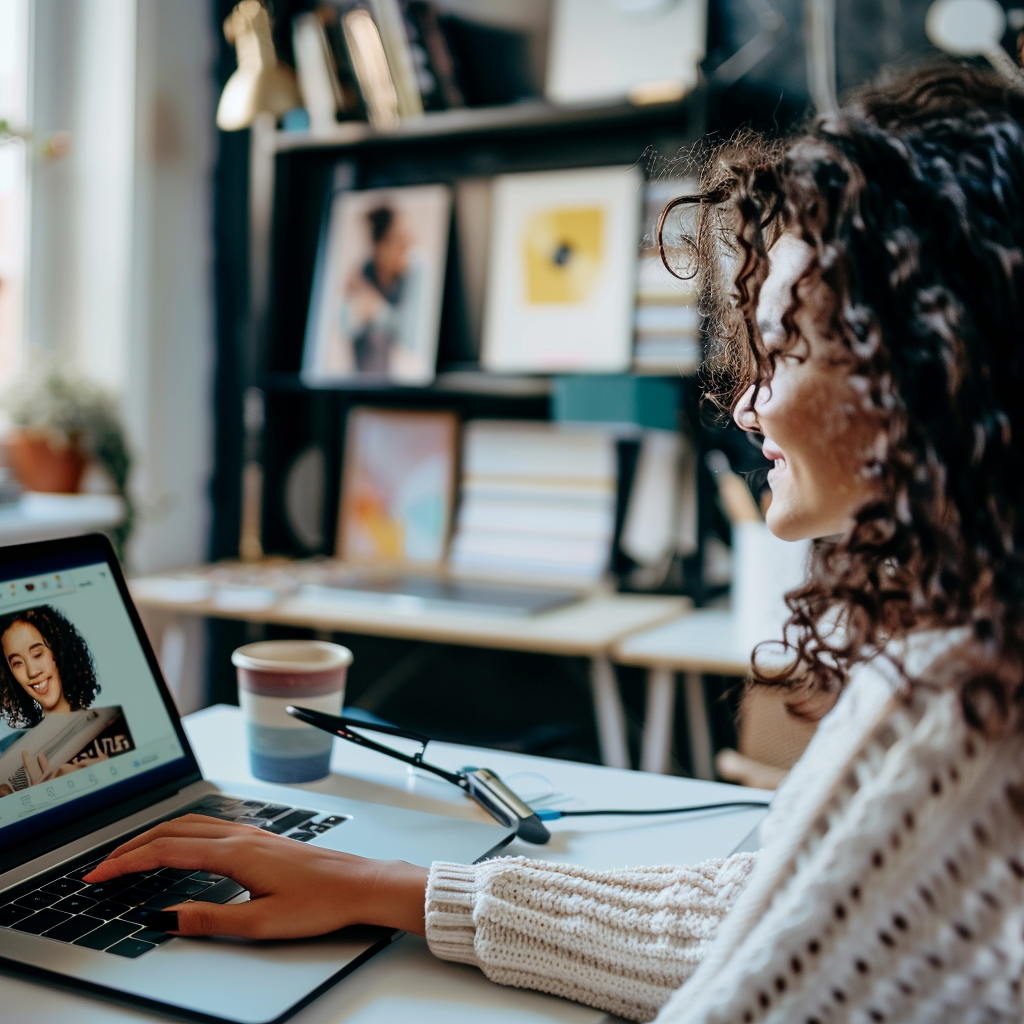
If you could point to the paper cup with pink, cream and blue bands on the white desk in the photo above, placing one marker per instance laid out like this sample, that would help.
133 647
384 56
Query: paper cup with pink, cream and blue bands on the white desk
274 674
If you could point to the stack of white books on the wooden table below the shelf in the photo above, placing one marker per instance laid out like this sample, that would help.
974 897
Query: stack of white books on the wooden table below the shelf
538 502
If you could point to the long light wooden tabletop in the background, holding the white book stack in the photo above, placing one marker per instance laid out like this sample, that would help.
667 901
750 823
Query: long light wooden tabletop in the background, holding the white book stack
585 629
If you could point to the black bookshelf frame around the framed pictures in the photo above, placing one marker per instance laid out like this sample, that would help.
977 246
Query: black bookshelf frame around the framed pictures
290 175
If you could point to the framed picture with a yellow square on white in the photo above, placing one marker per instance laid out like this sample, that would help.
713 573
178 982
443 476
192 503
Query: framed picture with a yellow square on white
563 274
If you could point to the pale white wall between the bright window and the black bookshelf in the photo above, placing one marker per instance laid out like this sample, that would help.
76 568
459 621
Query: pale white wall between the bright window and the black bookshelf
121 250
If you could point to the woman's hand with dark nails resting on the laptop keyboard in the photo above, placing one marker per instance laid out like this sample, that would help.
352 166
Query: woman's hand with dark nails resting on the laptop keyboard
296 890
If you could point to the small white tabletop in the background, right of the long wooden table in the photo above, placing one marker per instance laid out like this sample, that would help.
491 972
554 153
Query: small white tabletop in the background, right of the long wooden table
703 642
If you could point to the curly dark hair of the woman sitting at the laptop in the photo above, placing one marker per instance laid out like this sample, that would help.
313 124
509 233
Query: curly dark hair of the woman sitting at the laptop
912 198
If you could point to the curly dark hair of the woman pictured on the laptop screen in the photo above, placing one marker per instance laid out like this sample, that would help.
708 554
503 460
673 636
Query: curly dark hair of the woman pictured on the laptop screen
73 658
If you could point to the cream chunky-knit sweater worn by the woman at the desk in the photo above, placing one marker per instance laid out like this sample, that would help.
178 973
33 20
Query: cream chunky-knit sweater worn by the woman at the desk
890 888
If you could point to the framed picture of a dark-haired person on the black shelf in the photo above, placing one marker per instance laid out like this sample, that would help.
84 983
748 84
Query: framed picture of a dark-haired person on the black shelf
376 301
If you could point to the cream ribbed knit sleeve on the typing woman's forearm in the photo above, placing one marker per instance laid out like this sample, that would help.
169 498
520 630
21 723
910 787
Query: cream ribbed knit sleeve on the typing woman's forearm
622 941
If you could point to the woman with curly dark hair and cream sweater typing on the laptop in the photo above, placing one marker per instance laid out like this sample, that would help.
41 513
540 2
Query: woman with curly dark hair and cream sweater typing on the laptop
865 285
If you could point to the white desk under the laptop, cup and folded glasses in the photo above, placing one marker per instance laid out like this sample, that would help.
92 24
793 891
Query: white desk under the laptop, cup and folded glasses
405 983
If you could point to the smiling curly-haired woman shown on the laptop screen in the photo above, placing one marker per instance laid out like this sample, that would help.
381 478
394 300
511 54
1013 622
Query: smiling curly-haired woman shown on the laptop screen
48 669
